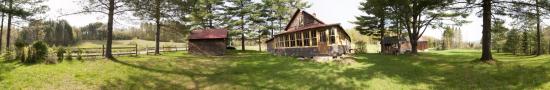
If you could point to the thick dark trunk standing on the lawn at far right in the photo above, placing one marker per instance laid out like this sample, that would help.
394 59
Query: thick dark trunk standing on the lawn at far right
486 38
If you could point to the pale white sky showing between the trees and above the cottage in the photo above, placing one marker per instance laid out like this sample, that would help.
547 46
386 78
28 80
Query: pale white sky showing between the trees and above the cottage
330 11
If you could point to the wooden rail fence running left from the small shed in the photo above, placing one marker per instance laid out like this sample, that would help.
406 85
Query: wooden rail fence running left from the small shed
118 51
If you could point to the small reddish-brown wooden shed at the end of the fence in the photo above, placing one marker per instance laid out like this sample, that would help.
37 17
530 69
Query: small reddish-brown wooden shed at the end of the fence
208 42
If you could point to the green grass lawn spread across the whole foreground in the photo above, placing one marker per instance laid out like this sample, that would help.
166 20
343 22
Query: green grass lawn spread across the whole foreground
451 69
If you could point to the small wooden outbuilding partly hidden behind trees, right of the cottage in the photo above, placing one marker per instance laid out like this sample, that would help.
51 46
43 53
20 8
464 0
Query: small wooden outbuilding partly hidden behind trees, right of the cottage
390 45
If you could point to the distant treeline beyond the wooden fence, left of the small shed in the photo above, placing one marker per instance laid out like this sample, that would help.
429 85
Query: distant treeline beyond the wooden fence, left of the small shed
61 33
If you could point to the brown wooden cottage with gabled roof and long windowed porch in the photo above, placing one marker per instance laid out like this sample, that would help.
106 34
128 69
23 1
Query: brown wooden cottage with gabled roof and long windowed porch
307 36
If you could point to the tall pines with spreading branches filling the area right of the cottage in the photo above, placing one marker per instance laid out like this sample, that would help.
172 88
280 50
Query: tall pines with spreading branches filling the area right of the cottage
414 16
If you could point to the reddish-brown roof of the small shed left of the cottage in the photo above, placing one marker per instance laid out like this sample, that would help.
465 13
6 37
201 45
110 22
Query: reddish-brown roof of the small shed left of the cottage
208 34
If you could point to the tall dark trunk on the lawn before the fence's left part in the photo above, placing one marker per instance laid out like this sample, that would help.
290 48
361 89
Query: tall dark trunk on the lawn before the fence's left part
108 51
